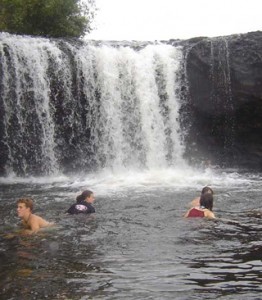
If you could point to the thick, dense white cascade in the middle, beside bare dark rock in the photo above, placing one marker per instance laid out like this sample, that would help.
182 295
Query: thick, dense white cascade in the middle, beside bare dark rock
137 123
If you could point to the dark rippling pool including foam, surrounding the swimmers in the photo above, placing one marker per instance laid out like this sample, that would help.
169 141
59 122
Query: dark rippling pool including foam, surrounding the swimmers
137 245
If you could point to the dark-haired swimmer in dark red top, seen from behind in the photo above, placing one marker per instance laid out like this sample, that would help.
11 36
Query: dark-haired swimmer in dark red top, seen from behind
204 210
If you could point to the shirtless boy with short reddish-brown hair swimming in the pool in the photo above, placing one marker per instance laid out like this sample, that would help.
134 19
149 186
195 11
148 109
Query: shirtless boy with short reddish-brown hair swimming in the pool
32 223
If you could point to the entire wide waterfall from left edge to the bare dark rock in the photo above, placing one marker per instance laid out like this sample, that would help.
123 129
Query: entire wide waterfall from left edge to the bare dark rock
68 106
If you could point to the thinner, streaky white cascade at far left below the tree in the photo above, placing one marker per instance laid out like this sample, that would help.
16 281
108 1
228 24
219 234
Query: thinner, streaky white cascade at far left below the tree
25 96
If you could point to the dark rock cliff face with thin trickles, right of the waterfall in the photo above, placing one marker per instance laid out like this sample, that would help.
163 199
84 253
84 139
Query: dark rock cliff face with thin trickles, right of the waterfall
225 100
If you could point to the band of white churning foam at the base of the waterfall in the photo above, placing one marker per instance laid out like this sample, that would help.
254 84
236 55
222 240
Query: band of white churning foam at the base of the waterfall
107 181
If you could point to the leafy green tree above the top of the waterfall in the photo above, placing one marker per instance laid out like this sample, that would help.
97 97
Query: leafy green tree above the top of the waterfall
49 18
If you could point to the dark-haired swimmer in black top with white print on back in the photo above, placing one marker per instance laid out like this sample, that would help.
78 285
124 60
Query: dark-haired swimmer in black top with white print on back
83 204
